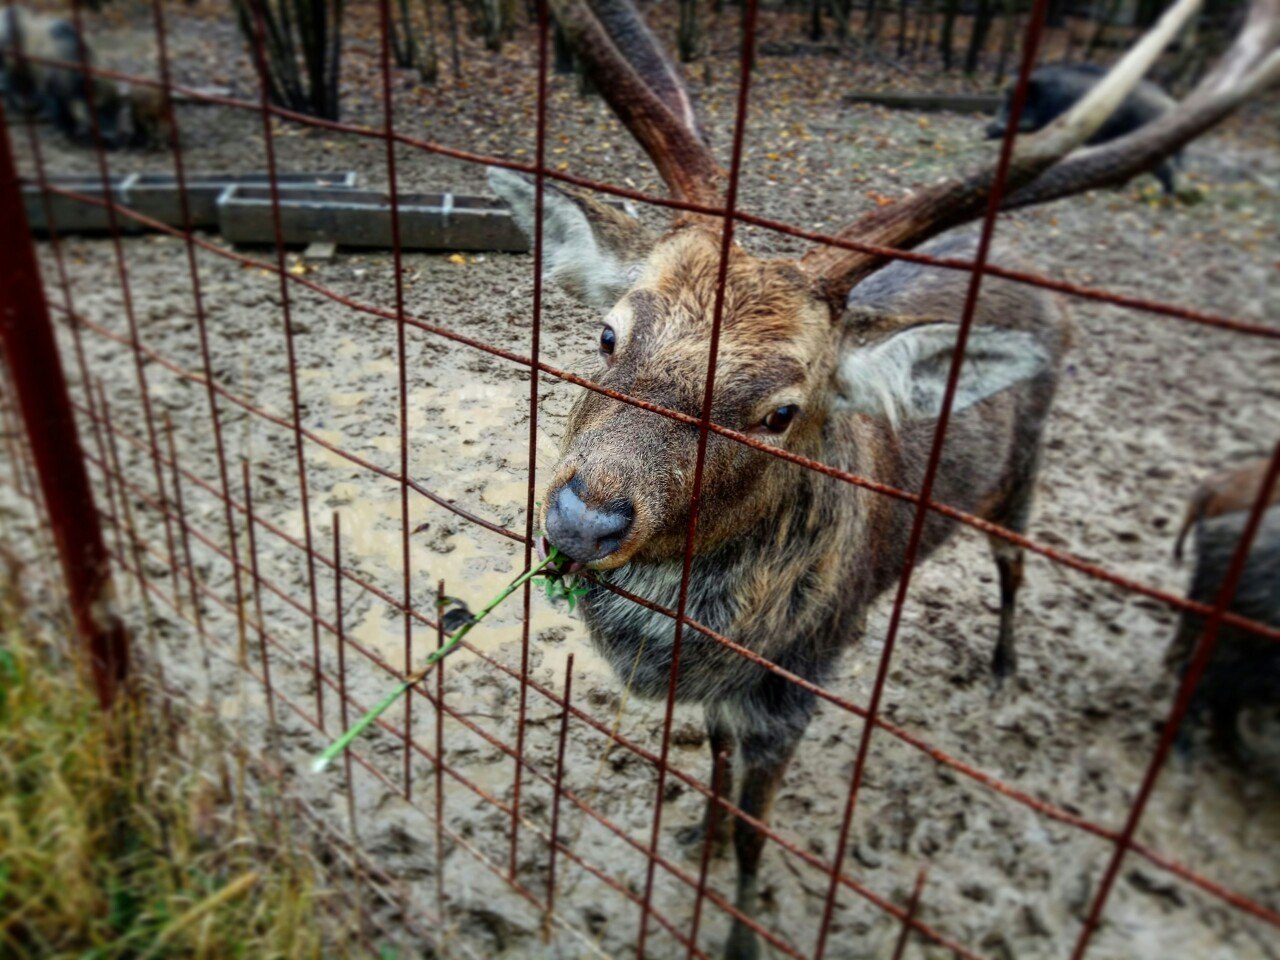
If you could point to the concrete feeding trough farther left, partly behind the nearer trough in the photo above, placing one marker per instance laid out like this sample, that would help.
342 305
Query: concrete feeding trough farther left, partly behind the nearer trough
157 196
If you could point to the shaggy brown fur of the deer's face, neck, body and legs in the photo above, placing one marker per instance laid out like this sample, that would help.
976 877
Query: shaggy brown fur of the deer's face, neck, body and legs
787 560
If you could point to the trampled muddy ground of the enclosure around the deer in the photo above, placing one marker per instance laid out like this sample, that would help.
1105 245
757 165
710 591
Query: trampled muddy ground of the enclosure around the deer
1150 405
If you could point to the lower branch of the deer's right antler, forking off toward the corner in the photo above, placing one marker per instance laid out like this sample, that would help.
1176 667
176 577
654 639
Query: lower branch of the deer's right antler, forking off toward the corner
1250 66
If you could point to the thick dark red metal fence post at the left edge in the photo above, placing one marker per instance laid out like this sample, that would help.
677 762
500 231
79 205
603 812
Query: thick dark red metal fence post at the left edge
36 373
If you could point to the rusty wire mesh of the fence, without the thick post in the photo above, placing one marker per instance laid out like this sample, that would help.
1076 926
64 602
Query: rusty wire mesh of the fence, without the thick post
239 534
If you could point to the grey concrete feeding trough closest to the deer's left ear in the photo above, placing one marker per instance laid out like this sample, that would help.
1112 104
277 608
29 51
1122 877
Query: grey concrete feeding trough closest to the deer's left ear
364 220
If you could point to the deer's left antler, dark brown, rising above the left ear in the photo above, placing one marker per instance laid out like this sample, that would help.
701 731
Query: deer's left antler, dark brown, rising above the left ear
644 89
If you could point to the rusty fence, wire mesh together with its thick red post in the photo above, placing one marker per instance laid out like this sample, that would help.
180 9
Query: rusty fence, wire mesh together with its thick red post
67 452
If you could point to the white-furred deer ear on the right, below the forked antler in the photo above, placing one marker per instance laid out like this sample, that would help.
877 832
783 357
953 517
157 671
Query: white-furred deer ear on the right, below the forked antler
904 377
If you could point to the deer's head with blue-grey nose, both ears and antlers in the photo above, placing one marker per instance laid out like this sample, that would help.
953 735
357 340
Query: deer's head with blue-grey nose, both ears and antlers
789 355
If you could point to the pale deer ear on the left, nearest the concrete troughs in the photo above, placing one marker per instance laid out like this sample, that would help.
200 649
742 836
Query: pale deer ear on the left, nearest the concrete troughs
593 250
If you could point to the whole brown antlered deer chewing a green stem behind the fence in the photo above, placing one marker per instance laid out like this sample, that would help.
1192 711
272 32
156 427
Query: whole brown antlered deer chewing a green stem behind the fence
840 358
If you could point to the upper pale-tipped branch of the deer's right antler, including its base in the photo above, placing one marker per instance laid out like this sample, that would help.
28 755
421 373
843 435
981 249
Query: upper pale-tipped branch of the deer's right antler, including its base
957 202
